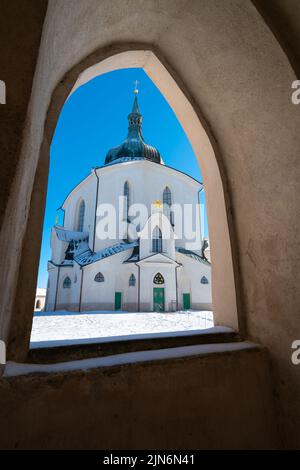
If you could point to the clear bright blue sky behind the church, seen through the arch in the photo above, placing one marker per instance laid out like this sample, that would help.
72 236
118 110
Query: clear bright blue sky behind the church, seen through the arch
93 120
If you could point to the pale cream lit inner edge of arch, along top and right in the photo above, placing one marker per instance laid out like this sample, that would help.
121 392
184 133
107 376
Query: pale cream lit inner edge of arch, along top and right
224 295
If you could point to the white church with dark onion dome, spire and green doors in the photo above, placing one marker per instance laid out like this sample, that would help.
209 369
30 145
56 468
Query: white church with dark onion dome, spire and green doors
123 244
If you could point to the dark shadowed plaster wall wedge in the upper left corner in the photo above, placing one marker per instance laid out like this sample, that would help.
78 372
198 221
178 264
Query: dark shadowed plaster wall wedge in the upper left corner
21 27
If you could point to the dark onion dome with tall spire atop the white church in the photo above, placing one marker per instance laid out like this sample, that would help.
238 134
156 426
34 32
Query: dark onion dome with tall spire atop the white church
134 147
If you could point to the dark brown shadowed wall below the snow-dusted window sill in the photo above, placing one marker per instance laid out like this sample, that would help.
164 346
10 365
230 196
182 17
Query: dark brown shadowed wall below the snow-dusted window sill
194 403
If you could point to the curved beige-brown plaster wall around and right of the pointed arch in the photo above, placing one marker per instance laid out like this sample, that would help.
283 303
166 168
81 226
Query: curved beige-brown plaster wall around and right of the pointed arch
239 76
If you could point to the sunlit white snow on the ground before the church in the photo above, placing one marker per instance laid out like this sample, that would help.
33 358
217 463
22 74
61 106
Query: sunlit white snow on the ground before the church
62 325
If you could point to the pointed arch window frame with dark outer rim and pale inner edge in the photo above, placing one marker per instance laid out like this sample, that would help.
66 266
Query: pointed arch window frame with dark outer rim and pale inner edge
225 272
